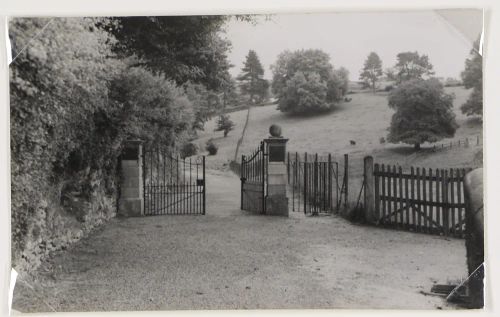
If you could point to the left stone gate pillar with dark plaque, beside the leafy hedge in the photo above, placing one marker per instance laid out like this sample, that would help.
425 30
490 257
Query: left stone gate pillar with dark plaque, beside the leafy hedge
131 202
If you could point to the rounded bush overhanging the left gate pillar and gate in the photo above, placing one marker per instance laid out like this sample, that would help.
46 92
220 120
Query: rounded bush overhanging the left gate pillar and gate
158 111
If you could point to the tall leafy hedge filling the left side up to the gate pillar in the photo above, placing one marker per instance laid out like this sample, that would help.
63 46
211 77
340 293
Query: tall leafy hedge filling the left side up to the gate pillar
73 103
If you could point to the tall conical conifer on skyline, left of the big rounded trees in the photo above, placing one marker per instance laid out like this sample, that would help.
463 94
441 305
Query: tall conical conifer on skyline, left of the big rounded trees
252 82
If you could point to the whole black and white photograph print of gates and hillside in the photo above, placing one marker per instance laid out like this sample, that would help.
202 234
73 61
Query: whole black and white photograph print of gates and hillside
325 160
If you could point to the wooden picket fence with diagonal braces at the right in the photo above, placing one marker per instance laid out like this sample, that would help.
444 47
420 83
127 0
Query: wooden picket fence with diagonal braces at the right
423 200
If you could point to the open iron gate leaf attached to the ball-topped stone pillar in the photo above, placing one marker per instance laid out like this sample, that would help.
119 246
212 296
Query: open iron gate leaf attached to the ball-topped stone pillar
253 178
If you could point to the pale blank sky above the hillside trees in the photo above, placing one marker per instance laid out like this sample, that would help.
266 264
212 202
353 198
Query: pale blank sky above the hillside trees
349 37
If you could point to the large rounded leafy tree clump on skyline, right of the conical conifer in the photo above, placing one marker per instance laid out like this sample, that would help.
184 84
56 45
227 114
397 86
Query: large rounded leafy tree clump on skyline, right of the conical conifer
305 81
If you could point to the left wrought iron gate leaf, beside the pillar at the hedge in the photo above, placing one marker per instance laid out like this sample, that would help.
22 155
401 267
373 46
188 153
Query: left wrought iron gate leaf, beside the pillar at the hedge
172 185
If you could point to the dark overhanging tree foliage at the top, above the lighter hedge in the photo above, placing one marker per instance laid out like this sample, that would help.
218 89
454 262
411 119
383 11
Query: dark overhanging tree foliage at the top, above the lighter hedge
184 48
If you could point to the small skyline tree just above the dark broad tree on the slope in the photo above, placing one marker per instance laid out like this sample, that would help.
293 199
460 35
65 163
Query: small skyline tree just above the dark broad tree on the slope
411 65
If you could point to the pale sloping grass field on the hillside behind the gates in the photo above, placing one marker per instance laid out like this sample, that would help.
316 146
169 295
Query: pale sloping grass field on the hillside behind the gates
364 120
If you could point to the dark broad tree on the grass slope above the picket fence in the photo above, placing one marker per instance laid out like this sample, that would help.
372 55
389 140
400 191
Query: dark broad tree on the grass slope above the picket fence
424 113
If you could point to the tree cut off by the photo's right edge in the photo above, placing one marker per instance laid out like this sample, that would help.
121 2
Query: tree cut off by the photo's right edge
472 77
